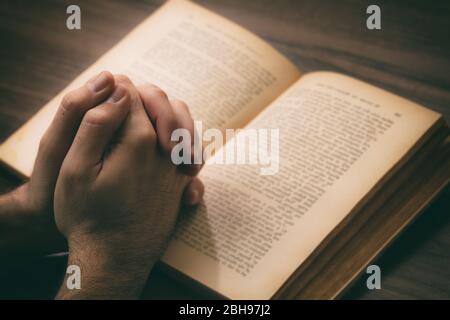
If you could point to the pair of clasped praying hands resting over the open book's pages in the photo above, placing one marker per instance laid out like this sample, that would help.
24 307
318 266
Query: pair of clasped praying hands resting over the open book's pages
104 180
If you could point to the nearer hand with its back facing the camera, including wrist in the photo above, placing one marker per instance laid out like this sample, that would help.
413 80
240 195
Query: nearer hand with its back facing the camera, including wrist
117 202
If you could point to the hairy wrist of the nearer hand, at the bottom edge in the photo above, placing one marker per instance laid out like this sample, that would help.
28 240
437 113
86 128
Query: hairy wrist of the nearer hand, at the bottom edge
106 272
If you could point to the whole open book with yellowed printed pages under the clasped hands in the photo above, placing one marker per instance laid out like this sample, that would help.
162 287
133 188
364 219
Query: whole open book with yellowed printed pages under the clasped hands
357 163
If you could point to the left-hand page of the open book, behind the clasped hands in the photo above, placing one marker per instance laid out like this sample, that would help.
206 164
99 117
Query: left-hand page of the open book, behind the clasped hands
223 72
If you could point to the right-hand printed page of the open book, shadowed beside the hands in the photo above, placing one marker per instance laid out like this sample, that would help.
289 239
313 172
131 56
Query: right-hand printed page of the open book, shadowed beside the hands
338 137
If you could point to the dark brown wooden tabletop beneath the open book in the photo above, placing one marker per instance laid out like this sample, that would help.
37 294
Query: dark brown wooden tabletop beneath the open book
410 56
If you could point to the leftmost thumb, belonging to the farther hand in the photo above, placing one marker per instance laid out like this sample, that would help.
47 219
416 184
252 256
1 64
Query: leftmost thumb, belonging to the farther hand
61 132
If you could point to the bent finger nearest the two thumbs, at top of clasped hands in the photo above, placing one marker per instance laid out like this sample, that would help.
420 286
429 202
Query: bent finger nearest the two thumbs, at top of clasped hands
160 111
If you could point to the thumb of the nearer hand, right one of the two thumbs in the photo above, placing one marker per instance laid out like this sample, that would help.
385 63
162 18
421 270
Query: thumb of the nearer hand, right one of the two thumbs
97 129
